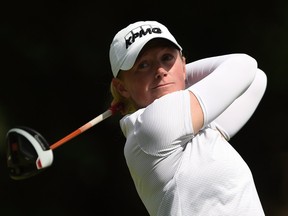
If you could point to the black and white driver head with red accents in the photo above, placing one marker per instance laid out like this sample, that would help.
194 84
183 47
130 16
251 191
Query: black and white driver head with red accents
28 153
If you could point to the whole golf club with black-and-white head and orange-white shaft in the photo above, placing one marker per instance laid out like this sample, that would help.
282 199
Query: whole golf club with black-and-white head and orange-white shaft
28 152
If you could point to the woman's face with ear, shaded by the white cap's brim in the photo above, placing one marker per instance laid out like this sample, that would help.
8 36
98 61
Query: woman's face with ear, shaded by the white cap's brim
156 72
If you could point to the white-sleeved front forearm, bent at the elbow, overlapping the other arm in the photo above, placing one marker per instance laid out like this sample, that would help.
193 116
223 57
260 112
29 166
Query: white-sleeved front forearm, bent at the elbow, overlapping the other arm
230 79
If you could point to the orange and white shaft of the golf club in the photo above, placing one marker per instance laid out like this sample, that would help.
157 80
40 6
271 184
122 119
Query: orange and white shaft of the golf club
83 128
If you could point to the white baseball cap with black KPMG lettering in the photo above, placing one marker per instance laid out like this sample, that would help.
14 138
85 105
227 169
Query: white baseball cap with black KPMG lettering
128 42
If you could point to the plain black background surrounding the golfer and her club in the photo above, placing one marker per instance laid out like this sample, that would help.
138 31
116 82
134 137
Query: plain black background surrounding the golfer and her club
55 76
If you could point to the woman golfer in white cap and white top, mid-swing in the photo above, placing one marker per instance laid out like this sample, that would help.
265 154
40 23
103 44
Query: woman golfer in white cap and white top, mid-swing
178 119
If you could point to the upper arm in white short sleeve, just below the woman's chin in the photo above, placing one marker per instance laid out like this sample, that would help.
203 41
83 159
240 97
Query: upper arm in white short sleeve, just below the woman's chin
161 128
